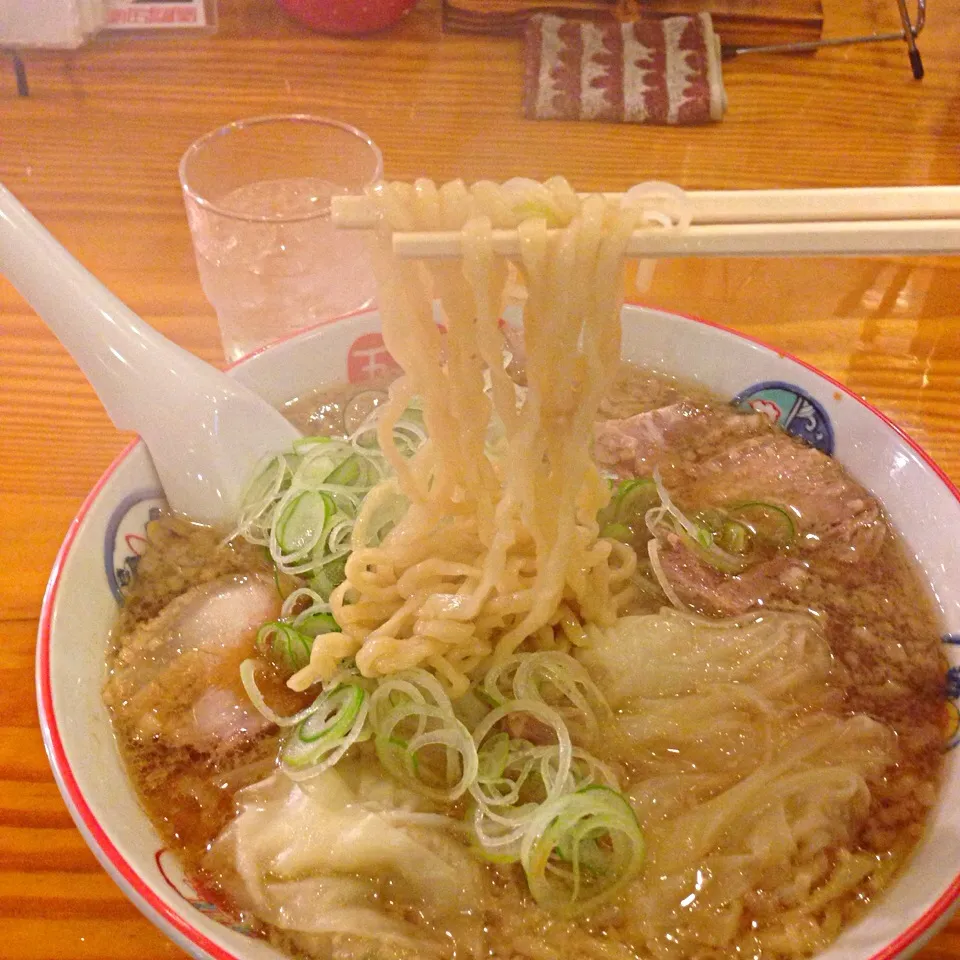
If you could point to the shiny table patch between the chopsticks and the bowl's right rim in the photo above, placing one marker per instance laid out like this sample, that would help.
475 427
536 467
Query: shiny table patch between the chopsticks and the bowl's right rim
889 329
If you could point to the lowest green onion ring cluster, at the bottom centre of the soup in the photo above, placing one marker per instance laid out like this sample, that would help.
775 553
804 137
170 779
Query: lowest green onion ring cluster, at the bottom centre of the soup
580 849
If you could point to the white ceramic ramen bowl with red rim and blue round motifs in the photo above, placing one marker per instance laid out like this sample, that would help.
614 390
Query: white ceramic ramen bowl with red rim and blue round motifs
101 545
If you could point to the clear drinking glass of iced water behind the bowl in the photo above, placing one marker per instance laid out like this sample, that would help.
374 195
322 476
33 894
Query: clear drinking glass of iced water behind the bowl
257 194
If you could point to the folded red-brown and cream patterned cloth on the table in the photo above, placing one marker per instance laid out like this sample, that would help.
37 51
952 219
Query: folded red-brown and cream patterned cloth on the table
643 71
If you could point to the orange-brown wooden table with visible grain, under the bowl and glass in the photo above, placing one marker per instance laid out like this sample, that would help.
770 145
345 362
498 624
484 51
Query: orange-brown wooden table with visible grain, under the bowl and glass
93 152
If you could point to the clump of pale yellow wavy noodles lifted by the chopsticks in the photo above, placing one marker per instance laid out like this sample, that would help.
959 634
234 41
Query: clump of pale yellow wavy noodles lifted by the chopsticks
492 551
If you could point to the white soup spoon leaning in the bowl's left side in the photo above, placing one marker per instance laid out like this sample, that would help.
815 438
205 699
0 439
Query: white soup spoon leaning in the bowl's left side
204 430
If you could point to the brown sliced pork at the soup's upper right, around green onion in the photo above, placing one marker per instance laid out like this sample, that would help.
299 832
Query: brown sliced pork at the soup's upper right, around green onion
712 456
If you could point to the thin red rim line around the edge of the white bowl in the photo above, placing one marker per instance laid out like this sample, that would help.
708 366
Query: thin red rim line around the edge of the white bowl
110 855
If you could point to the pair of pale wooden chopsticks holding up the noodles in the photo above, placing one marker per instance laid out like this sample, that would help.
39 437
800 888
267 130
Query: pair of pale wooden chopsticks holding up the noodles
747 223
